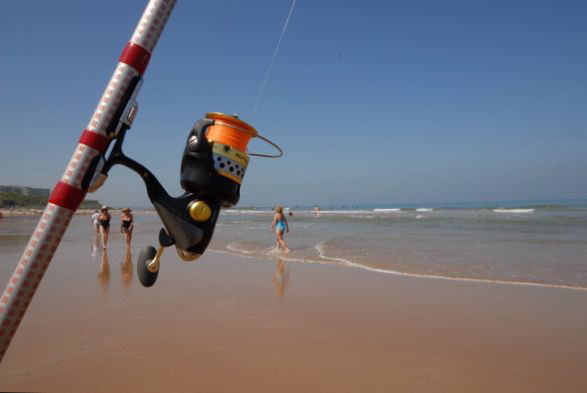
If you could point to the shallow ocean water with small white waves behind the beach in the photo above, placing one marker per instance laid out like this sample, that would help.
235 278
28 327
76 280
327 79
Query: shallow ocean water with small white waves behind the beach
524 243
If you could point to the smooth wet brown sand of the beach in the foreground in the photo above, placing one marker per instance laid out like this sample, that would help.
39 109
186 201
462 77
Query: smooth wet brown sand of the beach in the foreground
232 324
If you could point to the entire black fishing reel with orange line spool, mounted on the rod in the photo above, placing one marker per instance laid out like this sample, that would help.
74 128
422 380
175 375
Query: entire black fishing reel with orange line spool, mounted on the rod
213 165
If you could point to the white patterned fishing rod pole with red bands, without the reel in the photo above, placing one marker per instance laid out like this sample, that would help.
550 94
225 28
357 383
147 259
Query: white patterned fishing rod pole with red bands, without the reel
112 112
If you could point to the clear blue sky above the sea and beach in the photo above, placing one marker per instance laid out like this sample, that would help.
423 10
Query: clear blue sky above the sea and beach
373 102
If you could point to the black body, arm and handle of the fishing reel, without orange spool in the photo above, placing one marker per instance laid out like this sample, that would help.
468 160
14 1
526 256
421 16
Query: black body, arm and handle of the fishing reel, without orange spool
189 220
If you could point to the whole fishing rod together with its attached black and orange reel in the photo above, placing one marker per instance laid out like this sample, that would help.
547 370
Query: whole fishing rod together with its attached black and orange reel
213 165
